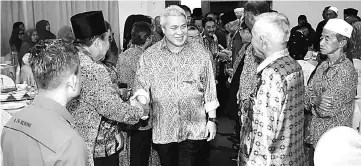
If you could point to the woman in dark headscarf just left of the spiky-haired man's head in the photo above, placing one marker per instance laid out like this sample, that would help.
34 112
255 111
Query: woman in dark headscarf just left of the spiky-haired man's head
30 39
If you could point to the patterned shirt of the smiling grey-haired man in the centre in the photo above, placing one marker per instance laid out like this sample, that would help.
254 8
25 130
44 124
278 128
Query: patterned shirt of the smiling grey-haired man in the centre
182 88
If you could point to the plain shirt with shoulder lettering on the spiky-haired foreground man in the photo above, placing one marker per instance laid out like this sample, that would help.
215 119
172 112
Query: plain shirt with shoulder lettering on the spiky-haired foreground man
42 134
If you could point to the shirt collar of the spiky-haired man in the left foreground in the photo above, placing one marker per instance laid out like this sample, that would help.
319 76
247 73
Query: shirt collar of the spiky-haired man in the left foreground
53 106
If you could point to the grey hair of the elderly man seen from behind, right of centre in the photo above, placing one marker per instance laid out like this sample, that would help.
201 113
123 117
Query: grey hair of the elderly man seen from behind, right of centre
274 25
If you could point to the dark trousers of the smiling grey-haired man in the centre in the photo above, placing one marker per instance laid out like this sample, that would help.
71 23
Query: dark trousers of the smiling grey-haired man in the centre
185 153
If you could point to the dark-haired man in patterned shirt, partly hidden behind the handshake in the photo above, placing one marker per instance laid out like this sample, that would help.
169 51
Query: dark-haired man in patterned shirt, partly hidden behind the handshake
141 134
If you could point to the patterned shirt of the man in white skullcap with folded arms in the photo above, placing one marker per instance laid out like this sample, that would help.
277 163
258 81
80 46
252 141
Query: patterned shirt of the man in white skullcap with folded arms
338 81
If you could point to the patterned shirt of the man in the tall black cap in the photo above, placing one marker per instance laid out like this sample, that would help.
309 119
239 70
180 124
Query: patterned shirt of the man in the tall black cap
97 99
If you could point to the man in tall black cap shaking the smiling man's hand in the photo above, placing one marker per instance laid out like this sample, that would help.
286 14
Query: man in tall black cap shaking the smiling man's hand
99 102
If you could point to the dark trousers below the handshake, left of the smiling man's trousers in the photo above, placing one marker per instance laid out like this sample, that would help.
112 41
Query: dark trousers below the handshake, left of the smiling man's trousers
140 145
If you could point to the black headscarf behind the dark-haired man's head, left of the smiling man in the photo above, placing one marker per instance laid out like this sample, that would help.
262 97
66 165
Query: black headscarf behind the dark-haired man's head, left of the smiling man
128 27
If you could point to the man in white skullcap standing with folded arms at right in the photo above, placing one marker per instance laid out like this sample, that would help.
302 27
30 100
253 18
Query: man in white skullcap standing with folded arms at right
330 94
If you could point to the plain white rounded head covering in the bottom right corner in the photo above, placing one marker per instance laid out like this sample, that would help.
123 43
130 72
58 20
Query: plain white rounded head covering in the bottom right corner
339 146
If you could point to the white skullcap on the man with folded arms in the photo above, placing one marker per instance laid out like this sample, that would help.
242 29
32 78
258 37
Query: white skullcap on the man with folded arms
339 26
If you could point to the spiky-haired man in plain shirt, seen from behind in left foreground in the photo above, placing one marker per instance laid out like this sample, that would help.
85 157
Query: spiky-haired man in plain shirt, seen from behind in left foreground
43 134
